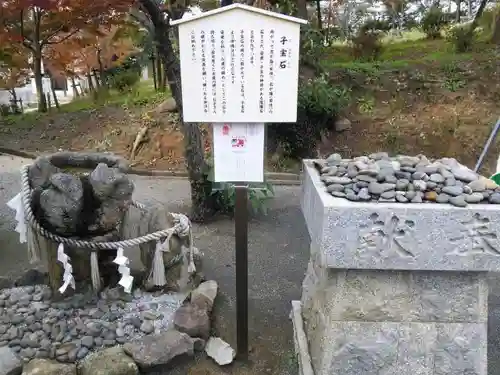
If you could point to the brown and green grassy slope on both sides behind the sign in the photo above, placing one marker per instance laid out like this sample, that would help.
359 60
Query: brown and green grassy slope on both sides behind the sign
419 97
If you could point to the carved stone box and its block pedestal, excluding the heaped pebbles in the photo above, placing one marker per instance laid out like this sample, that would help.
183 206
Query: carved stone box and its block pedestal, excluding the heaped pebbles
396 289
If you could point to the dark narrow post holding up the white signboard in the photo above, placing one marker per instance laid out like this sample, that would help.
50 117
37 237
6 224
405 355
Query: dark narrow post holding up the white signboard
241 248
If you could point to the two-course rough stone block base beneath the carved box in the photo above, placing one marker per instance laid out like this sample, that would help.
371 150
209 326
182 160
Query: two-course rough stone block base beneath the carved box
366 322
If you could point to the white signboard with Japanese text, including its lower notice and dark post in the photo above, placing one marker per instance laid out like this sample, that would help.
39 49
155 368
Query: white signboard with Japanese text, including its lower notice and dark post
239 70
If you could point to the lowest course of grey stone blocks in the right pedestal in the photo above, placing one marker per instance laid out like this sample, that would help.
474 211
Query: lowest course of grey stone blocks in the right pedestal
390 348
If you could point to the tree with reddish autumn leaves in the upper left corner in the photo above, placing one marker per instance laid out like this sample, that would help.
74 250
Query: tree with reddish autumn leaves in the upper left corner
36 26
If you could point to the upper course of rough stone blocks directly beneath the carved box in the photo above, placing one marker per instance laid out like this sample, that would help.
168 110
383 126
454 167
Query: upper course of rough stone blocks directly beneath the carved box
398 296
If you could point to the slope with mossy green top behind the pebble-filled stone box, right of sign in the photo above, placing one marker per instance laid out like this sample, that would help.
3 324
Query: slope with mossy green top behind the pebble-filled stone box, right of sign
419 97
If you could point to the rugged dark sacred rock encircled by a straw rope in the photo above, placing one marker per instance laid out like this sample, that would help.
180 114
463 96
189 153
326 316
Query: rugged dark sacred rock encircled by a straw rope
88 196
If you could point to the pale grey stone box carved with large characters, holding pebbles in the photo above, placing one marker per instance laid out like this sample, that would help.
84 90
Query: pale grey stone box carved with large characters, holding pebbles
400 236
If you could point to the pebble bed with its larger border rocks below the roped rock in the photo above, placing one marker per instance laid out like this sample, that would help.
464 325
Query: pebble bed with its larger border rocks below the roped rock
113 334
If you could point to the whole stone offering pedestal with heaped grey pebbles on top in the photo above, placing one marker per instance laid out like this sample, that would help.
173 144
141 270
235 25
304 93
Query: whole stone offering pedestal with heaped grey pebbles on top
395 287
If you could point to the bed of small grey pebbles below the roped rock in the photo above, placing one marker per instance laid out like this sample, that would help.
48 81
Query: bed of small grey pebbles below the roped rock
32 325
